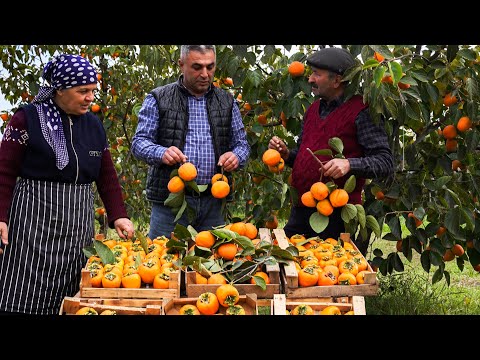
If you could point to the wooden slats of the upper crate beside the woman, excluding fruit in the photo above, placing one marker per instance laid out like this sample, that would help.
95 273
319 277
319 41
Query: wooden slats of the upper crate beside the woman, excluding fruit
87 291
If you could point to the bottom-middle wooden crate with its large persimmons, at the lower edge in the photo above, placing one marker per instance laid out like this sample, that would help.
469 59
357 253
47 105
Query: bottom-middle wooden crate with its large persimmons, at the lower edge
226 300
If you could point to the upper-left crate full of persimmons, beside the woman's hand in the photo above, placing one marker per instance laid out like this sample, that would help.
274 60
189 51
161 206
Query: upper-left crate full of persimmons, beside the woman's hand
141 268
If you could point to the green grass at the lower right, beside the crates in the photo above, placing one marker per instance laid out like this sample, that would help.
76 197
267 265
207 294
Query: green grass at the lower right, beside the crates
412 293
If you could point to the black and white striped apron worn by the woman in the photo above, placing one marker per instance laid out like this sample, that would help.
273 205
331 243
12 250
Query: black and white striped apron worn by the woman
49 225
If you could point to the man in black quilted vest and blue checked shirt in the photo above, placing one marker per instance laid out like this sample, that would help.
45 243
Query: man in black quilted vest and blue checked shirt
189 120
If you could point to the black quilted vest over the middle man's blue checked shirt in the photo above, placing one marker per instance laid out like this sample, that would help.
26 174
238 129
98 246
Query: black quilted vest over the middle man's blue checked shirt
172 102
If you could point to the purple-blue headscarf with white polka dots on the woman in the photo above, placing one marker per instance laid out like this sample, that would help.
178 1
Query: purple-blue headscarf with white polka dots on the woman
62 72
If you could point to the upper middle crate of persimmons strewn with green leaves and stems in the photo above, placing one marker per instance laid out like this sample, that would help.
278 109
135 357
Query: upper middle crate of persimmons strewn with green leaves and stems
237 254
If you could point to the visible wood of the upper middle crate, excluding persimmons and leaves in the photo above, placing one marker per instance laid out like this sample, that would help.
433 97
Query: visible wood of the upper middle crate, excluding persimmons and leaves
273 271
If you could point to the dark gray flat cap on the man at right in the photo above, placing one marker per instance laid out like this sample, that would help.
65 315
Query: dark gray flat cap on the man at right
334 59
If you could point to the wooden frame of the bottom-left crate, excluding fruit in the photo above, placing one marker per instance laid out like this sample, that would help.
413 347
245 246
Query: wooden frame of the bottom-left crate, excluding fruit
70 305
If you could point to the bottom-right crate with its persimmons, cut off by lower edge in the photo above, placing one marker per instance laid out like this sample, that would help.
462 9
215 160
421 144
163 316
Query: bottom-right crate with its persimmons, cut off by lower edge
353 305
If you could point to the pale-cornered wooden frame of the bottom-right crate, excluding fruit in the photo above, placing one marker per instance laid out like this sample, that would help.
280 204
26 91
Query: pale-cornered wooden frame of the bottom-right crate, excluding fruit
281 304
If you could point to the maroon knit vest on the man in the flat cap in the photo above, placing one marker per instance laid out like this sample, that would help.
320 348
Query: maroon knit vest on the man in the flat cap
316 133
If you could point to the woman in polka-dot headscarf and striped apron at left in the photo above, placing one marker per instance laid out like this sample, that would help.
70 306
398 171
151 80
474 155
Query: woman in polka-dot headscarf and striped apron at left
52 152
